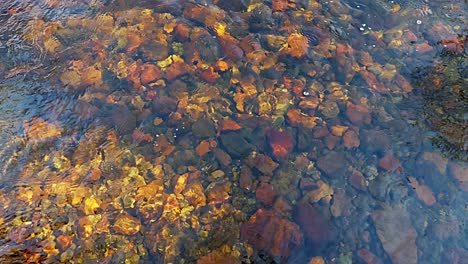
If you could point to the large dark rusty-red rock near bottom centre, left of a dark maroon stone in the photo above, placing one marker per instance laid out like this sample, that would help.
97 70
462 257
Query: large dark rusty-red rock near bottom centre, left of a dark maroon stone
267 231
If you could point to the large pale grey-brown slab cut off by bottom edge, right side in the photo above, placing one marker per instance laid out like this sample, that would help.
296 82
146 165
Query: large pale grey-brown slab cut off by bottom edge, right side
397 235
